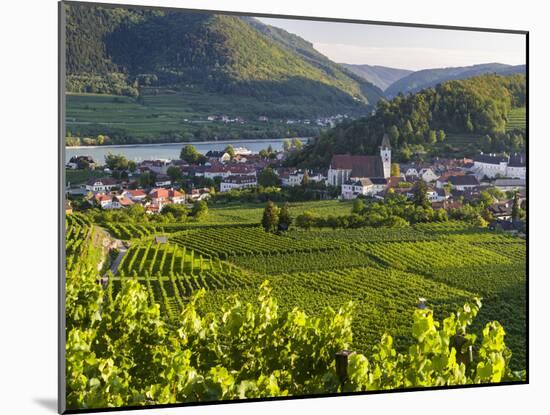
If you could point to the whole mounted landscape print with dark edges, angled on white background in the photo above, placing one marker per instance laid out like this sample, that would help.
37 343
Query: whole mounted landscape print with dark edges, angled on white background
259 207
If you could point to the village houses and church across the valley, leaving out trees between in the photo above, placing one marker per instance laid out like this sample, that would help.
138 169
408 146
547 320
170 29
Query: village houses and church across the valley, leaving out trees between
449 181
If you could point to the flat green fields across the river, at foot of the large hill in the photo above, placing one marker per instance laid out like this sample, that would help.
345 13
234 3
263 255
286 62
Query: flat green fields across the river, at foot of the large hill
165 113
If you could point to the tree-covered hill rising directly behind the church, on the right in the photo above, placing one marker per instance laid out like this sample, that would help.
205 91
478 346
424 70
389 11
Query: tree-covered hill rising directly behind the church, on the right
476 107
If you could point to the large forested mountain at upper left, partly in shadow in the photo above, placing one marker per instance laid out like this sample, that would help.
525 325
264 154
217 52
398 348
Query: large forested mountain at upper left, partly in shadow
115 50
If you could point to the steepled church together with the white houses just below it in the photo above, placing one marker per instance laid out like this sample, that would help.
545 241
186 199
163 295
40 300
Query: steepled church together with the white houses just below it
361 175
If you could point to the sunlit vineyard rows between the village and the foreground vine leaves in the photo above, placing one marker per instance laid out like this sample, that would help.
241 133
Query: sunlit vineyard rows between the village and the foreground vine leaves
383 271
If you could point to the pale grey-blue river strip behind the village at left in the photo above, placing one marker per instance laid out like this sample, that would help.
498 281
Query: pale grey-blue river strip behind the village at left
170 151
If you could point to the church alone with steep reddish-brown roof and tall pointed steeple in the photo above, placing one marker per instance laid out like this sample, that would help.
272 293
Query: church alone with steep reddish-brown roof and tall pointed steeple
344 167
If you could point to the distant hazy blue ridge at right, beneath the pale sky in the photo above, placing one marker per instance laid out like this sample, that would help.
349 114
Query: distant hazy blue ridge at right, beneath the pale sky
426 78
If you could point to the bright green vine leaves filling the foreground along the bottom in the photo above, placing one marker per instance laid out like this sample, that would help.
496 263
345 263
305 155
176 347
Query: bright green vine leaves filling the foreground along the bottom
124 354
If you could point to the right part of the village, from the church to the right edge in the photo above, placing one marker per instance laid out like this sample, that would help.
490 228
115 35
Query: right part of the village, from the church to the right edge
449 181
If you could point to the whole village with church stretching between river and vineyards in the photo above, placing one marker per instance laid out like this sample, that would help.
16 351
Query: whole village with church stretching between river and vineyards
449 183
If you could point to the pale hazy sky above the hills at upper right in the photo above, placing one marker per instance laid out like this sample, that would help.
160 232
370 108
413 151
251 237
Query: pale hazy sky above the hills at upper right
405 47
